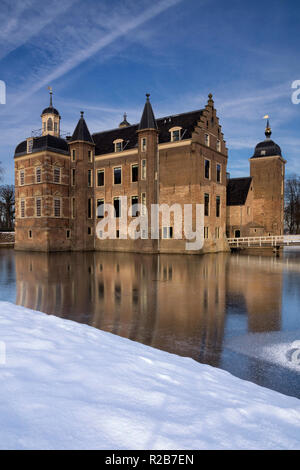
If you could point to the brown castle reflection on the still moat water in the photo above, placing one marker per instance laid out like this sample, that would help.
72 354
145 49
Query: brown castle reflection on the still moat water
171 302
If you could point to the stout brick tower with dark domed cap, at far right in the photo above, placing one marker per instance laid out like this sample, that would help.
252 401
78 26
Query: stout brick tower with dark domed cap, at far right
267 170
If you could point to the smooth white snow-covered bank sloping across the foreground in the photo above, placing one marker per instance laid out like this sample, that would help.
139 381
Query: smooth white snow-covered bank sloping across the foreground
69 386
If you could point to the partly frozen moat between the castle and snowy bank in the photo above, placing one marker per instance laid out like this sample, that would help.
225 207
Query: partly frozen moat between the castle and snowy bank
236 312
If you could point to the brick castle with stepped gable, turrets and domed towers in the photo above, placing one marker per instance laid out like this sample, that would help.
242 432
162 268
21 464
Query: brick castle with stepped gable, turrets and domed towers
63 183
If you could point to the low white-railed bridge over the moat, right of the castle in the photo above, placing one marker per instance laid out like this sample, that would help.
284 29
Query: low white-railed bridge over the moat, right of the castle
275 241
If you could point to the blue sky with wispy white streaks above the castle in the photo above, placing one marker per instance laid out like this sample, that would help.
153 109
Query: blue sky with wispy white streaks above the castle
103 56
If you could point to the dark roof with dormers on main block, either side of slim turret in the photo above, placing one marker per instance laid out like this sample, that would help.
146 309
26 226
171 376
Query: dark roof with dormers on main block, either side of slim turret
187 121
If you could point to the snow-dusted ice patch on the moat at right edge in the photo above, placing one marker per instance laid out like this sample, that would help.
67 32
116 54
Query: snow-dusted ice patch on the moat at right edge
276 347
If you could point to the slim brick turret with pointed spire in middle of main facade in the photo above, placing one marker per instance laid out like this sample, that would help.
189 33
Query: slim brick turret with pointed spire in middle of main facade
148 164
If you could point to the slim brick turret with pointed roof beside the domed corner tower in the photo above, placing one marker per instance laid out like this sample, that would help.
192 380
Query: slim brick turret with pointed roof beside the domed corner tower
82 173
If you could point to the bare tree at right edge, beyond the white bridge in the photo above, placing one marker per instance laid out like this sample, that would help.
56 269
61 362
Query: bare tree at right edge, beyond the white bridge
292 204
